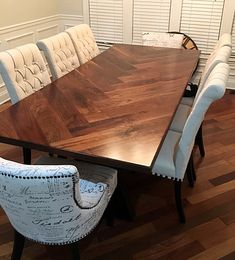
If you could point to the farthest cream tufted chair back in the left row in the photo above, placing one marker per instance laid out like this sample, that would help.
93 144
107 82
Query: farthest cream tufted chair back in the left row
84 42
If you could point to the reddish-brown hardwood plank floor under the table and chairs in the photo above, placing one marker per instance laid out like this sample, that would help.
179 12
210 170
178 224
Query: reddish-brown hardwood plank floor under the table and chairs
209 232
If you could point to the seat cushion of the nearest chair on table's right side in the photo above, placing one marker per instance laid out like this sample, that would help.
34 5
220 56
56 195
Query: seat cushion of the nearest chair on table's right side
164 164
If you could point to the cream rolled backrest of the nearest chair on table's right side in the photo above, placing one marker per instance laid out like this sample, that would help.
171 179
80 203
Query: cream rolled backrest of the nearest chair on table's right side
214 89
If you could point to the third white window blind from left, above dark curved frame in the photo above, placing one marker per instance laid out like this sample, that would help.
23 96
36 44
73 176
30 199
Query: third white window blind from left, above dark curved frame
201 19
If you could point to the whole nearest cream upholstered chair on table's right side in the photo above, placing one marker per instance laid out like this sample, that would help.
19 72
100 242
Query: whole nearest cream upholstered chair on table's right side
176 150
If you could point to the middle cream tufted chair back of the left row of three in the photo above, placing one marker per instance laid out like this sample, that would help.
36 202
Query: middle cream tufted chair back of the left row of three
60 54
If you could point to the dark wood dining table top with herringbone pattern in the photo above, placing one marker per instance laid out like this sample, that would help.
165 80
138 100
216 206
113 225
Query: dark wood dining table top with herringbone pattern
114 110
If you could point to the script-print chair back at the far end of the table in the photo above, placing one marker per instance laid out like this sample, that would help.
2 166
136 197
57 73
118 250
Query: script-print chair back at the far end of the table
169 40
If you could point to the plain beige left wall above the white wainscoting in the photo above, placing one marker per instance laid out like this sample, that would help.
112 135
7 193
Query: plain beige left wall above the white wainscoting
15 12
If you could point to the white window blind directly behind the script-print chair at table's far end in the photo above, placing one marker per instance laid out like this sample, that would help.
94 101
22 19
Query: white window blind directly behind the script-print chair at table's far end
150 16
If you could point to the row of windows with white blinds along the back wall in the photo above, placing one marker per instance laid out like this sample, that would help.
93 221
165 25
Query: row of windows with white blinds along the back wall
124 21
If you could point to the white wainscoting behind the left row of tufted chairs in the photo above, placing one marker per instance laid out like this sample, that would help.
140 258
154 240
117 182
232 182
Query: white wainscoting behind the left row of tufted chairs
32 31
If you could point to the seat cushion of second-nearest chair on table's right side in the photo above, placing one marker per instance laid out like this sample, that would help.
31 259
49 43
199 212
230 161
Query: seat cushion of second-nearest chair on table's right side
180 118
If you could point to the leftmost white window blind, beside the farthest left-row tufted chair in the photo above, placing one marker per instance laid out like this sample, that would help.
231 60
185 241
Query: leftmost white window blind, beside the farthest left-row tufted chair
106 20
